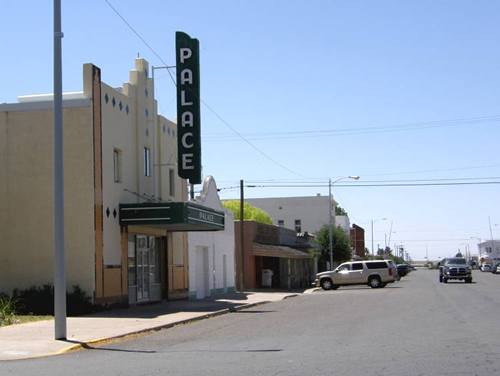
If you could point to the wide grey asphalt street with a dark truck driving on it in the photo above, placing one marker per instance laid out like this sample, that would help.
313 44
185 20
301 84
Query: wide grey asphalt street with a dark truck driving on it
417 326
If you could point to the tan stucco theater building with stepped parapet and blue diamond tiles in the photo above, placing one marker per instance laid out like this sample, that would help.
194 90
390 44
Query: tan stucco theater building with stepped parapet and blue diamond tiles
119 170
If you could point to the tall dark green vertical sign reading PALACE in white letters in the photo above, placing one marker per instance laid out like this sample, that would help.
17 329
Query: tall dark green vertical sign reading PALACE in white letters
188 107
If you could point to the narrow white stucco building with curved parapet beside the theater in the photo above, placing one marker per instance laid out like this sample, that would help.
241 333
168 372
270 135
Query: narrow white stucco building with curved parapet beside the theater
211 254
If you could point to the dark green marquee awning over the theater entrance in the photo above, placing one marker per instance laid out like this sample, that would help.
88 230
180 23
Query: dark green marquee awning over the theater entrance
172 216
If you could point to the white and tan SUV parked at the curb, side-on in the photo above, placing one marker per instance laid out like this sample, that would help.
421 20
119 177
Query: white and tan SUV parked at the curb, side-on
376 273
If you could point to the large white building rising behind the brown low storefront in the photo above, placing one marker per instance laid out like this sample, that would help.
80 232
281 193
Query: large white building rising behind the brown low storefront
307 213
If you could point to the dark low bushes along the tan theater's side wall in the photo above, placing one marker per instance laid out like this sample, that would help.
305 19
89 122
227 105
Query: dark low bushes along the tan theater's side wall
40 301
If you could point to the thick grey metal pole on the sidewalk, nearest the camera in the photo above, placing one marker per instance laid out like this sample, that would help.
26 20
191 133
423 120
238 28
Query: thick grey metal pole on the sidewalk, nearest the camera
59 268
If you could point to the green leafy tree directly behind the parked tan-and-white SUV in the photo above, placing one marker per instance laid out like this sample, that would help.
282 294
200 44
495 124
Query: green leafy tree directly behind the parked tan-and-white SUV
341 246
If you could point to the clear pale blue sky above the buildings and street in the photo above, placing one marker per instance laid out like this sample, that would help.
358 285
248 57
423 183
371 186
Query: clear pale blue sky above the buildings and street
297 92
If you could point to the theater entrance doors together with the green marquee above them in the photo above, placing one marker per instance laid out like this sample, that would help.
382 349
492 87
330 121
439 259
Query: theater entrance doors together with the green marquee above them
151 229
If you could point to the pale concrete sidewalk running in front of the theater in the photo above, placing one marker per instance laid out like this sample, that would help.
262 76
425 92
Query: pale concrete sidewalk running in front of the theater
35 339
